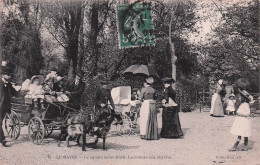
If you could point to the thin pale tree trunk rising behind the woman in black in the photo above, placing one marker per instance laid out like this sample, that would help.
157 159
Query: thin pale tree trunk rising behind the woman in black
172 50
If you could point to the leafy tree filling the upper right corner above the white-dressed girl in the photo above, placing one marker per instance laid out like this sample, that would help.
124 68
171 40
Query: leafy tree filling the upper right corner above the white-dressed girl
236 43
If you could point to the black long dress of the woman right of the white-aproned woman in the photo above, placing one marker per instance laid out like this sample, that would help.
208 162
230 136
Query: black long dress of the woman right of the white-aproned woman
171 127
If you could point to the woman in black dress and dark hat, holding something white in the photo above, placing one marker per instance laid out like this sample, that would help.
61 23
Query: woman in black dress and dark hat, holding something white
171 127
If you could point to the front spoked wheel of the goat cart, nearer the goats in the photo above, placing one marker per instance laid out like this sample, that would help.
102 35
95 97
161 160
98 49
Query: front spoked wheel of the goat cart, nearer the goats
36 130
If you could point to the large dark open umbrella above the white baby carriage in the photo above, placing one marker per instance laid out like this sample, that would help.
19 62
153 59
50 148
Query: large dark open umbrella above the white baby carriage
141 69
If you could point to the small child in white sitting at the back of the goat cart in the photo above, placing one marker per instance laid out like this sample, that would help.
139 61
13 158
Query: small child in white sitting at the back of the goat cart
36 92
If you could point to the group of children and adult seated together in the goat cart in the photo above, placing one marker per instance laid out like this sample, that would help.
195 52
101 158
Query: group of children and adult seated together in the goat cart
53 88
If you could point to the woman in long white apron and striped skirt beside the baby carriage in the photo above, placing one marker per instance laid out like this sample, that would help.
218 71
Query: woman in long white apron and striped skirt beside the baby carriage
148 113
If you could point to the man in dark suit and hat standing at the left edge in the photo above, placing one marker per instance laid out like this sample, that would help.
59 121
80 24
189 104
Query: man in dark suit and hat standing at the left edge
5 101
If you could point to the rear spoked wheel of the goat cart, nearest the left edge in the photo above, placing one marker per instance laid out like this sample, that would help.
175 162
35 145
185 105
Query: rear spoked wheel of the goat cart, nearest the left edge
12 125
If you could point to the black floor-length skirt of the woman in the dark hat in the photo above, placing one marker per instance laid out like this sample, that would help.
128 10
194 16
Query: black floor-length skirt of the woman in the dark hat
171 127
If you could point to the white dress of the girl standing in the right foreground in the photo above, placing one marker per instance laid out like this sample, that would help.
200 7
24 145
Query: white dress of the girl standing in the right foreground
242 125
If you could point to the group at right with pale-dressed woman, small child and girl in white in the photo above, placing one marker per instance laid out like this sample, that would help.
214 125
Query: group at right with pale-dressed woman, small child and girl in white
236 102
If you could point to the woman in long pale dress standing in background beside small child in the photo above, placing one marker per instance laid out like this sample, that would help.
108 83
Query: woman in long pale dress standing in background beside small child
216 104
